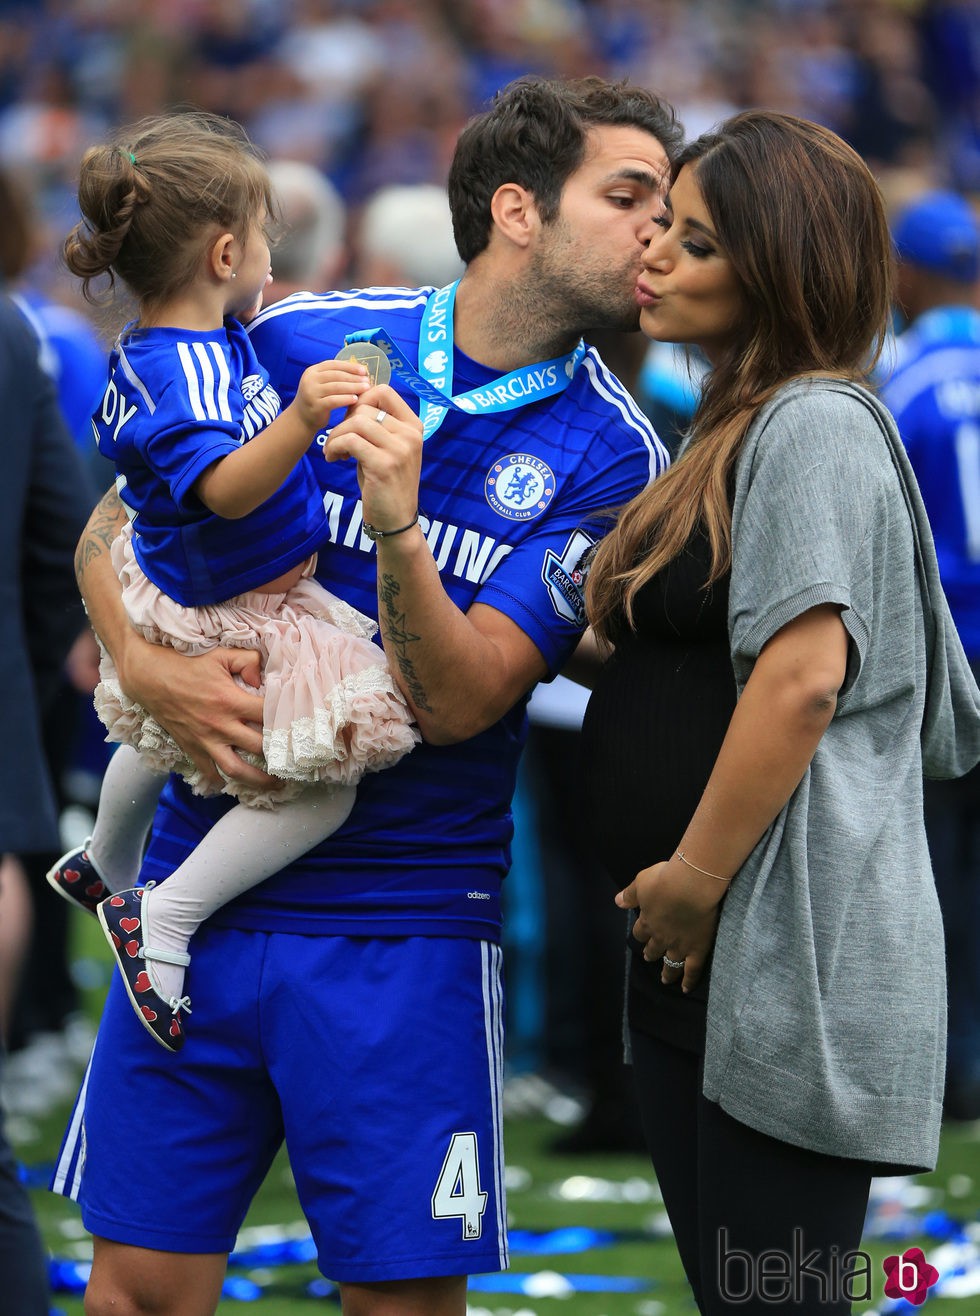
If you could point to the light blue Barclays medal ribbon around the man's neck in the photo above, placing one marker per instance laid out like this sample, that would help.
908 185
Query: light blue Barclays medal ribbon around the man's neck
432 382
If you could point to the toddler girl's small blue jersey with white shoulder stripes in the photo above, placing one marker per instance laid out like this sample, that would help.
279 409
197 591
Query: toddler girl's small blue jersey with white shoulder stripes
176 403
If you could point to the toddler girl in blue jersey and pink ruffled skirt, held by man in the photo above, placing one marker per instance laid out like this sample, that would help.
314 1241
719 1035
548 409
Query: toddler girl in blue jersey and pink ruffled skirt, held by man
226 517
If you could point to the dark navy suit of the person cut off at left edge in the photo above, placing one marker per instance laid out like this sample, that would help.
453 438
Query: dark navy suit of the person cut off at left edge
44 503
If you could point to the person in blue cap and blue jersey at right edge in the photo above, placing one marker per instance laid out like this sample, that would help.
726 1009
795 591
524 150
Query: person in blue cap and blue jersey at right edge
933 392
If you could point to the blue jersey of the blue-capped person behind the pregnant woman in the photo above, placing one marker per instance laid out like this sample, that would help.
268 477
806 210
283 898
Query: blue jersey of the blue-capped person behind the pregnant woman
933 392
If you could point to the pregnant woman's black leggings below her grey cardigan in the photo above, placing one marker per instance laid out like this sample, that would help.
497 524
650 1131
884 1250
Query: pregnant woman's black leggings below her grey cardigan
762 1227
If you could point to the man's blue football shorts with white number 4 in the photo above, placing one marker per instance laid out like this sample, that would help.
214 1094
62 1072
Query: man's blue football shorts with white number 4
378 1061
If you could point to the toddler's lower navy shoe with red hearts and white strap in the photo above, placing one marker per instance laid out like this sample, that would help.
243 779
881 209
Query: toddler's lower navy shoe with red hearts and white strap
123 923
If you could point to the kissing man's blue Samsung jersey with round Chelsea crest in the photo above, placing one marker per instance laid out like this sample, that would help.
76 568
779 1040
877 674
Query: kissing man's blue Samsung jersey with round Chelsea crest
511 505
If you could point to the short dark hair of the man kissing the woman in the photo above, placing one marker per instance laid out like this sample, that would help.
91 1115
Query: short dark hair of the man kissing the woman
535 134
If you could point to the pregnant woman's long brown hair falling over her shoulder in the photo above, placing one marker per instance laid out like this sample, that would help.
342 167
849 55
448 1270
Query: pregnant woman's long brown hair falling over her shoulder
802 220
